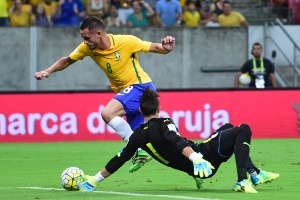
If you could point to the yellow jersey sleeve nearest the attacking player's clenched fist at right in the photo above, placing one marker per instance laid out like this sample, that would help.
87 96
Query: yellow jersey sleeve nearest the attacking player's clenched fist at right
137 45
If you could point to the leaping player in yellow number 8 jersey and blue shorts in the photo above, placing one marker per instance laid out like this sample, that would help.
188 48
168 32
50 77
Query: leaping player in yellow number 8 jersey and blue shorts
117 56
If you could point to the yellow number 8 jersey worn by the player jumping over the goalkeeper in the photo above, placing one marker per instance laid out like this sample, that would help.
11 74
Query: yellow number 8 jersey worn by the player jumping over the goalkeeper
120 62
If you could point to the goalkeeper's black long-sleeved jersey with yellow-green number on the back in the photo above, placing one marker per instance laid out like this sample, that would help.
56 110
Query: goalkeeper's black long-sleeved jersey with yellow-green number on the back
160 138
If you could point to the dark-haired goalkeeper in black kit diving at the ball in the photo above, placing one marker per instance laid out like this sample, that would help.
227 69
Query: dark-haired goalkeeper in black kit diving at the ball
160 138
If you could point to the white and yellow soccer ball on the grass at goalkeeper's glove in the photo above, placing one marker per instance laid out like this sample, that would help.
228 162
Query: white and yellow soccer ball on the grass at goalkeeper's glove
71 178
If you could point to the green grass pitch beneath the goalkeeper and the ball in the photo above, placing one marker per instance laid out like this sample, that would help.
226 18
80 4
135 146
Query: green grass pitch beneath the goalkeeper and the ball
32 171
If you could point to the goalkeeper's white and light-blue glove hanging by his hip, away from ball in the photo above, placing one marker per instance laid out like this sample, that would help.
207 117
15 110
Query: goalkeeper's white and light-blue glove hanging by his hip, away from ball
202 167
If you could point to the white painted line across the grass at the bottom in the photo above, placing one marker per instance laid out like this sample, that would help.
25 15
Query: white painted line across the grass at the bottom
123 193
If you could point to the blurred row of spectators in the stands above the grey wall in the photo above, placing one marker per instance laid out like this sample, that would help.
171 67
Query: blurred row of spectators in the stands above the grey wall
120 13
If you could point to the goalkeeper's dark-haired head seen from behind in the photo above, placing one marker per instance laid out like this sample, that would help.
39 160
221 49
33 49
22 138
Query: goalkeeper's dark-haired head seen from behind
149 102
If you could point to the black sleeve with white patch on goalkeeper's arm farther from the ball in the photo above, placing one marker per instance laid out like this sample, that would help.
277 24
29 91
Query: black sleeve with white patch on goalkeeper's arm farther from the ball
170 132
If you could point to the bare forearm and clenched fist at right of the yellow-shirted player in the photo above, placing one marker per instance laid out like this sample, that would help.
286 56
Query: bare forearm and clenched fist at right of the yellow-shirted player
167 45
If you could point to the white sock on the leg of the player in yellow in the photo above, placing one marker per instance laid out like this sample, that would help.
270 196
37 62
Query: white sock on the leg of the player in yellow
121 127
